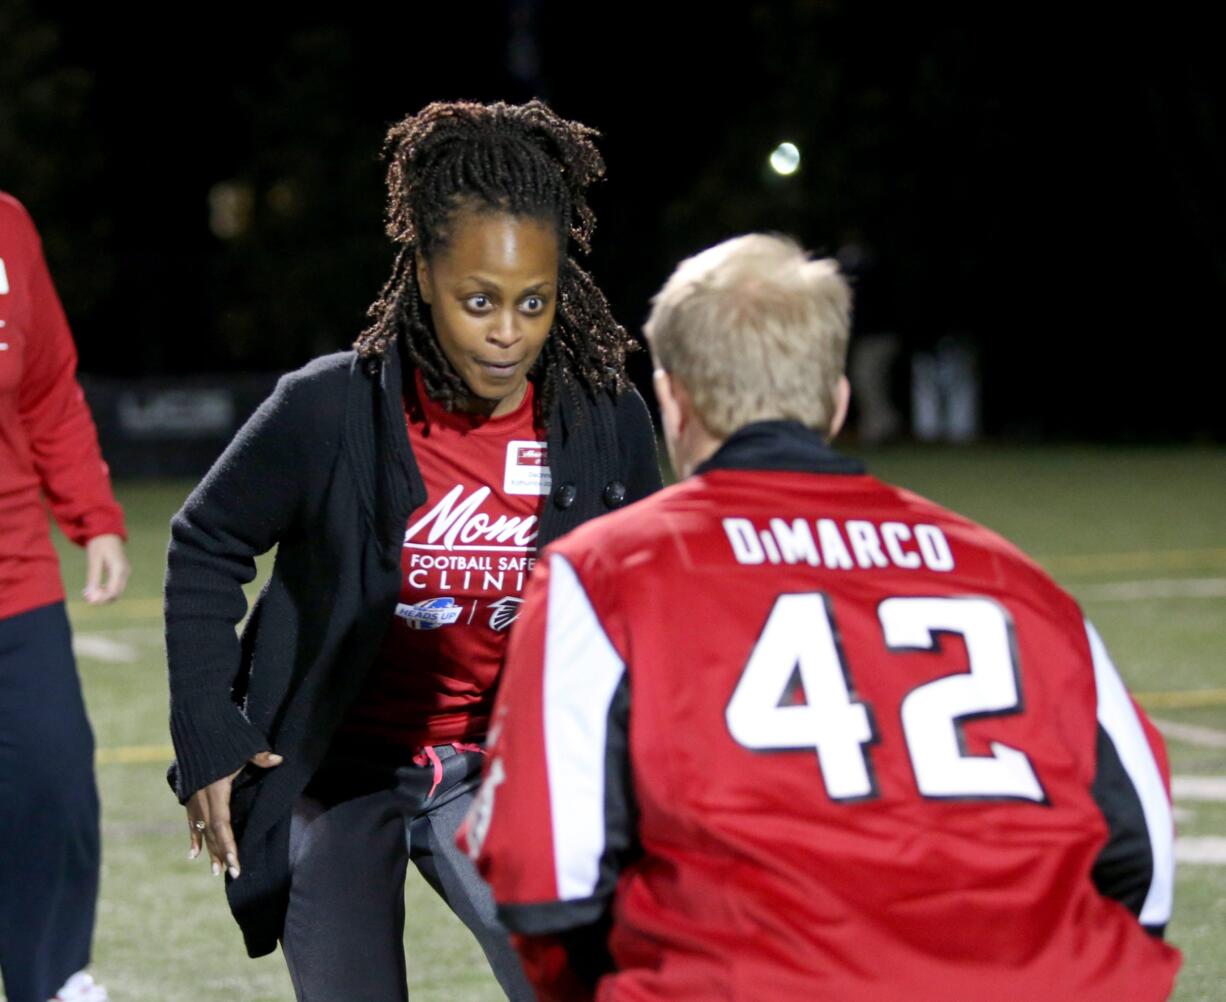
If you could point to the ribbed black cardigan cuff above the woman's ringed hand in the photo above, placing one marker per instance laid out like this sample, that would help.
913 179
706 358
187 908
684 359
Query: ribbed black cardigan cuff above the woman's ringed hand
211 740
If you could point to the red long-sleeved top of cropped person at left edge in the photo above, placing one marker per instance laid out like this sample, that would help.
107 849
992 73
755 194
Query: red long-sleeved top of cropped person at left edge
48 443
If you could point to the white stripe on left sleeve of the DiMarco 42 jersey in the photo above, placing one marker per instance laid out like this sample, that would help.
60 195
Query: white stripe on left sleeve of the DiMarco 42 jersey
582 675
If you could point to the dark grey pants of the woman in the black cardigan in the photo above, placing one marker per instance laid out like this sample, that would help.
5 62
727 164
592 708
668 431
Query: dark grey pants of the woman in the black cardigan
354 833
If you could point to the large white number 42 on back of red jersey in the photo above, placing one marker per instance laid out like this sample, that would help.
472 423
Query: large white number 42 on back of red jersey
799 640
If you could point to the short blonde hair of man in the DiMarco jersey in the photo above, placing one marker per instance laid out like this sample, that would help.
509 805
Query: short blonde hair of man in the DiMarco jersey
757 331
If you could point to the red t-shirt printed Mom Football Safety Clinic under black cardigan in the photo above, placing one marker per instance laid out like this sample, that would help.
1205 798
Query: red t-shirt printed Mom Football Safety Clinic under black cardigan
466 559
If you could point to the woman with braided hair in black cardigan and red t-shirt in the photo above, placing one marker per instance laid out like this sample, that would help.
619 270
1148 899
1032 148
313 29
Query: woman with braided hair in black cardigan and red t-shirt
408 485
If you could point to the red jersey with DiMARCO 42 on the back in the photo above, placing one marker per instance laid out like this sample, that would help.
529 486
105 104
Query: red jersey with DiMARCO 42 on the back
817 738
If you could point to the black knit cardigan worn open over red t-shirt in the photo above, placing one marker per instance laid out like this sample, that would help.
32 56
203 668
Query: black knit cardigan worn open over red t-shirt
324 472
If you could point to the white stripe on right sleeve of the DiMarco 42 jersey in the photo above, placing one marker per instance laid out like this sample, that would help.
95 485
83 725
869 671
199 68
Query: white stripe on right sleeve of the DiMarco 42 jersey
1120 721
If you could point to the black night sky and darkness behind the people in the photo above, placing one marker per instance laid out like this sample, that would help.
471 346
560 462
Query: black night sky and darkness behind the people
1046 182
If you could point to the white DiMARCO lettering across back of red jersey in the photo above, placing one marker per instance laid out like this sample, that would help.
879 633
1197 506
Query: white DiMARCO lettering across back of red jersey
859 543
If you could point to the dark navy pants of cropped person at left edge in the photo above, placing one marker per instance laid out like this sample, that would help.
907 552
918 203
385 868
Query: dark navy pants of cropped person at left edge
50 846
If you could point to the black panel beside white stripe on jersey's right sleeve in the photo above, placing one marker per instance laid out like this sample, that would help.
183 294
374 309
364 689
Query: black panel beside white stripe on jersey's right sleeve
1125 868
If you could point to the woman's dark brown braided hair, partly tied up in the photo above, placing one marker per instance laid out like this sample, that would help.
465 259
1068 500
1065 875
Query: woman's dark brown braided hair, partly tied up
522 160
